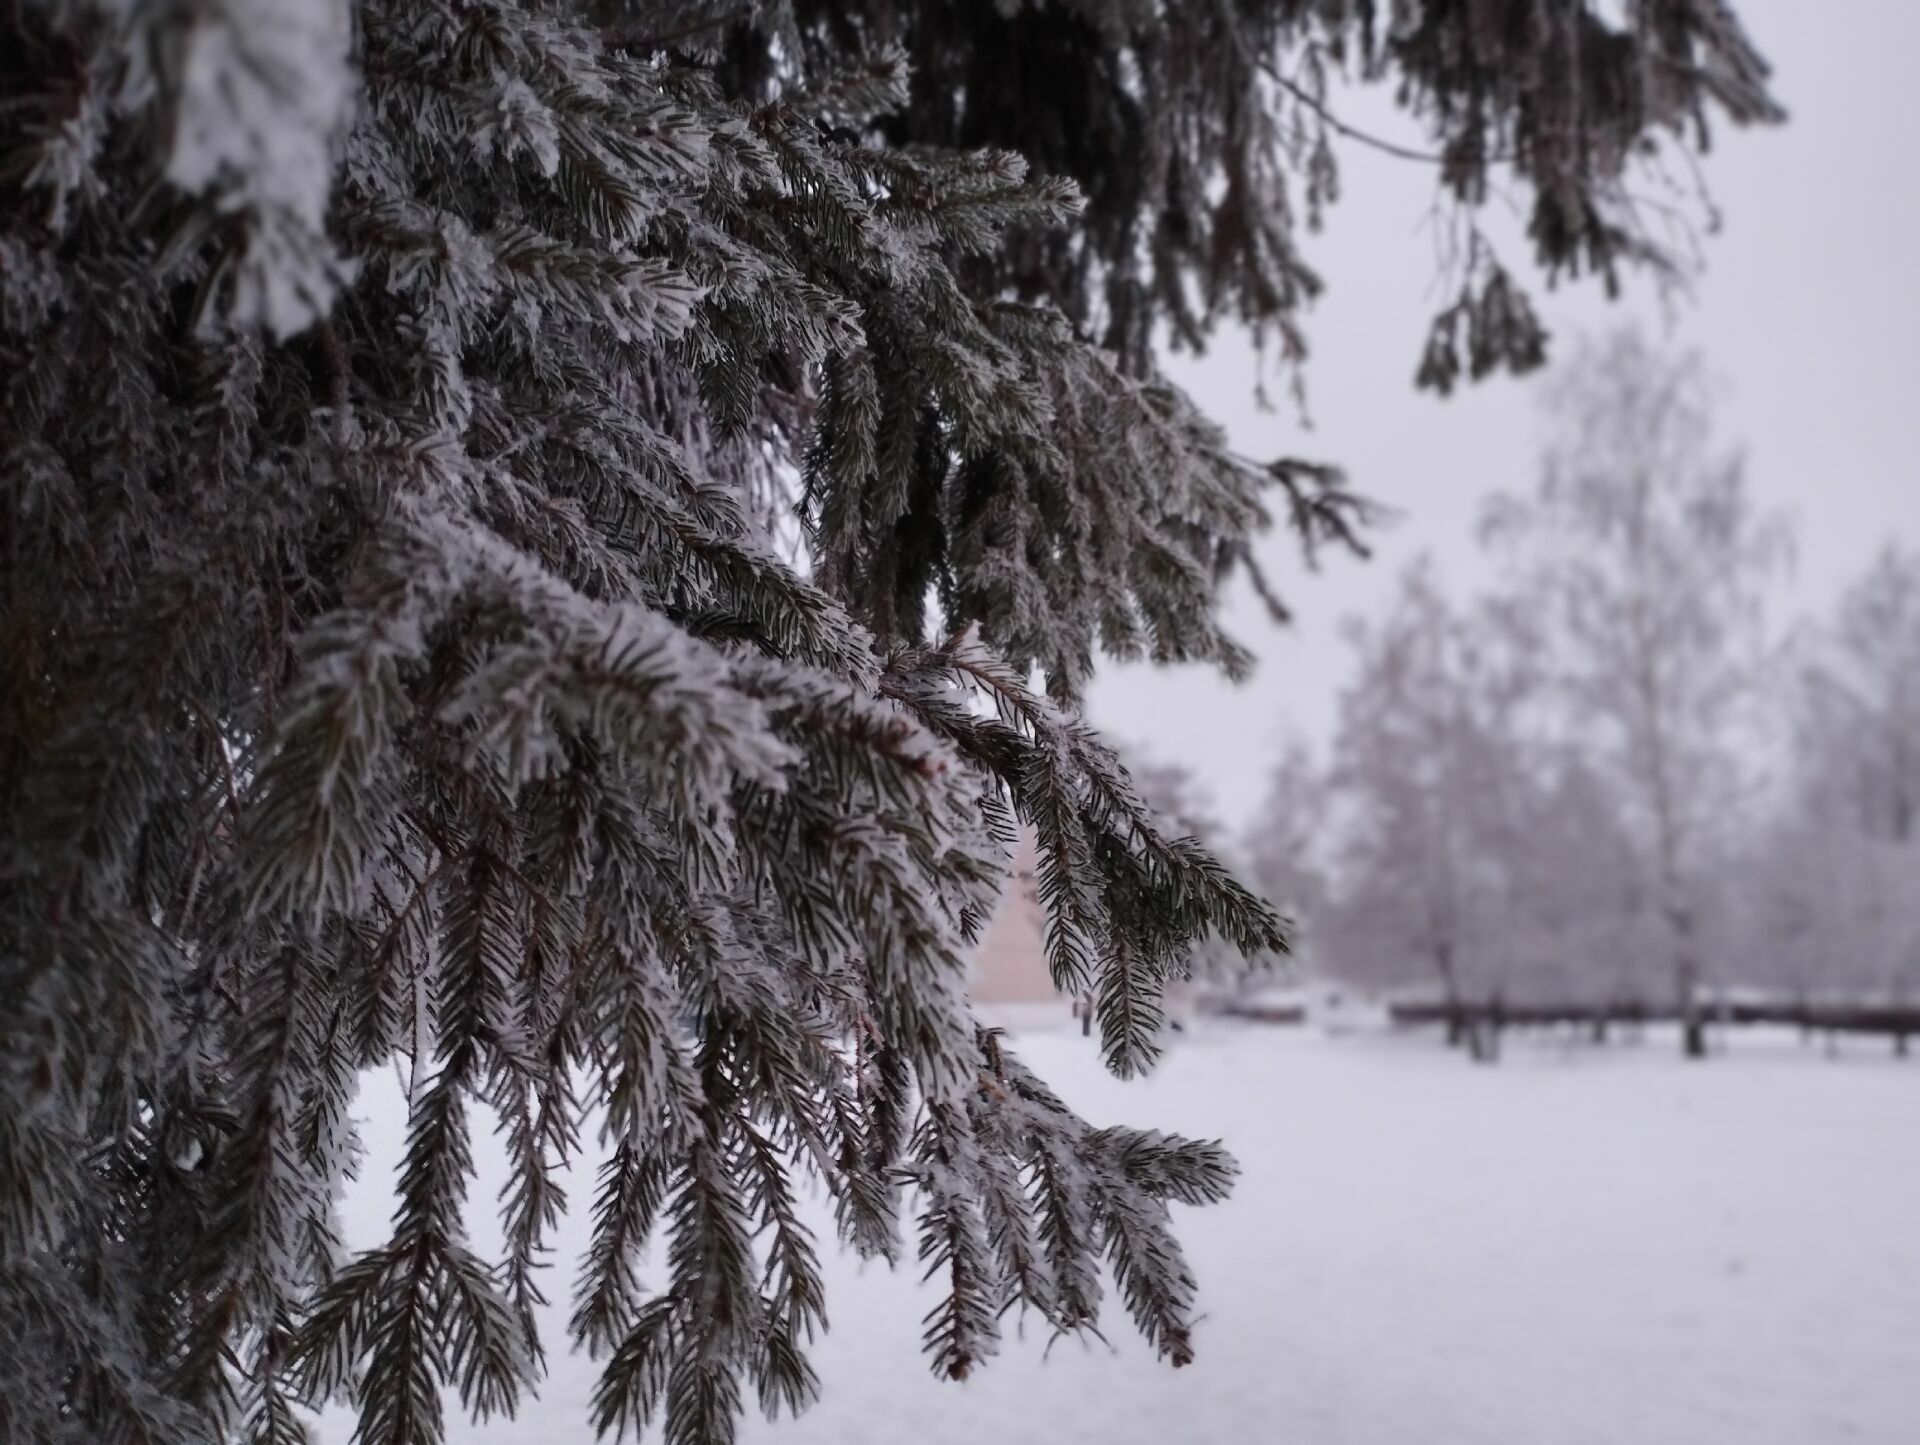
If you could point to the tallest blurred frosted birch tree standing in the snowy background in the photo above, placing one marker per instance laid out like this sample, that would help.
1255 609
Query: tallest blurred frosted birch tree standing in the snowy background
1646 567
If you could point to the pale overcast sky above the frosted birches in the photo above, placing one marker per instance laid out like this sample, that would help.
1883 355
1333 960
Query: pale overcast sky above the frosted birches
1808 310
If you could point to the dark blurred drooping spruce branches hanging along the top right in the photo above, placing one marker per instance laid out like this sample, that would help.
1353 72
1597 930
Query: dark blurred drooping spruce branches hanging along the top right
1205 135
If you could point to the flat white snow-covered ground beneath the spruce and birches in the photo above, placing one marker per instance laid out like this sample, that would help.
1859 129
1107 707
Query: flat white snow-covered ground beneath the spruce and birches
1577 1248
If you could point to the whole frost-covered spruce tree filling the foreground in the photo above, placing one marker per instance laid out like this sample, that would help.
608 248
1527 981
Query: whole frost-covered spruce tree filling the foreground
402 408
